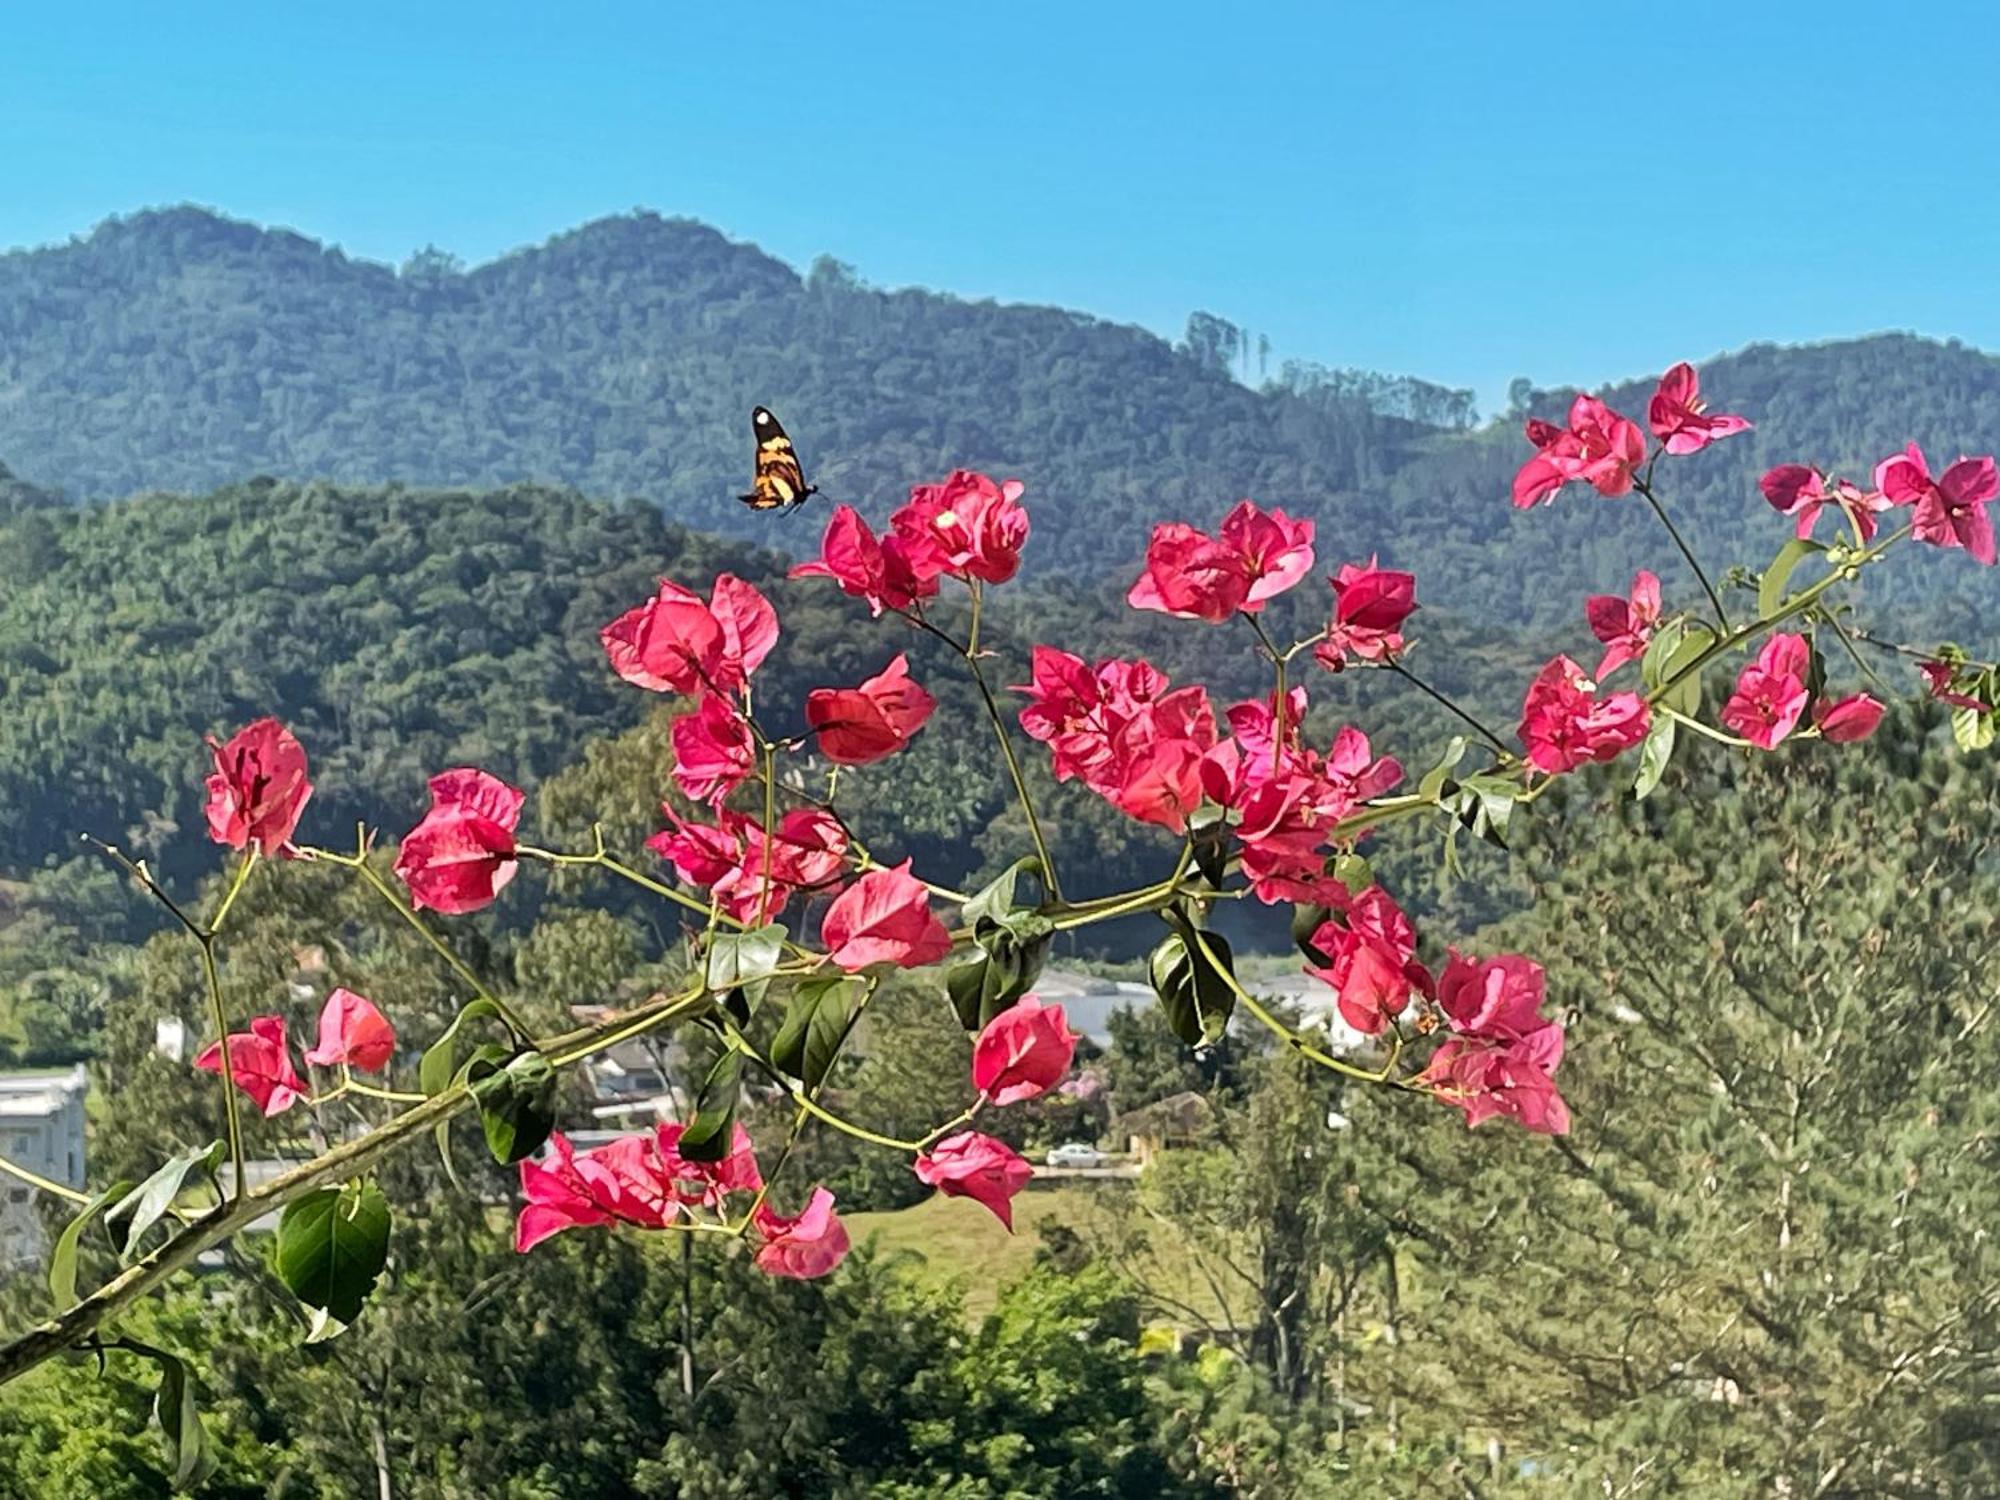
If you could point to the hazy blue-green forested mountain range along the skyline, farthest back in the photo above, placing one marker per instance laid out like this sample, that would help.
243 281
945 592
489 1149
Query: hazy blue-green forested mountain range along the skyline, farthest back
183 351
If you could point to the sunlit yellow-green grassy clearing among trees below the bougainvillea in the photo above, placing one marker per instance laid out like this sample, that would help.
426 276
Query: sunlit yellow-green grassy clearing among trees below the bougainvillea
963 1245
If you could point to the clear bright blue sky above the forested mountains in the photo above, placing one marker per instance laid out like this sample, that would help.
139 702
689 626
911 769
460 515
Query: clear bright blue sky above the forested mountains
1453 191
